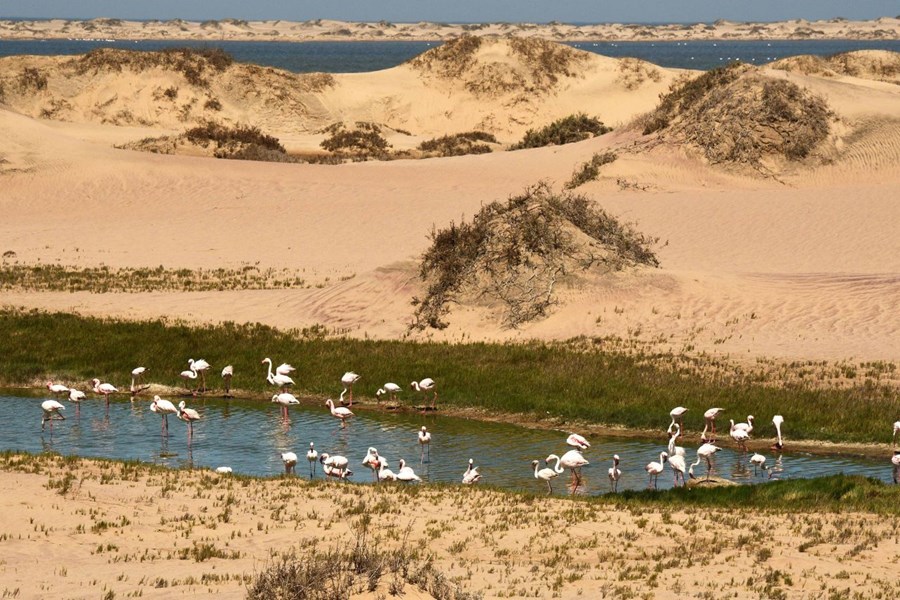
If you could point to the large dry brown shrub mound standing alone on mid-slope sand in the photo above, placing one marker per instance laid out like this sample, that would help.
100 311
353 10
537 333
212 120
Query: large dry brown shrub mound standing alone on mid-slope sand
514 253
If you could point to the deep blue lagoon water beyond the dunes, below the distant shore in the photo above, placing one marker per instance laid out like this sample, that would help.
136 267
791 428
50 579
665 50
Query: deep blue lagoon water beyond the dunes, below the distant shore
354 57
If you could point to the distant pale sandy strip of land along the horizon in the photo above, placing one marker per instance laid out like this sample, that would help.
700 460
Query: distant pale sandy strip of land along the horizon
885 28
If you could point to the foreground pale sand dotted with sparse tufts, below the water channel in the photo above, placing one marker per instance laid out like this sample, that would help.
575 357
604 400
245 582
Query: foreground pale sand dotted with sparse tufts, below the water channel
122 531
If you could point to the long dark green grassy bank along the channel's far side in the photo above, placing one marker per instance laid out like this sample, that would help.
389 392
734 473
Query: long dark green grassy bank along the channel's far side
547 381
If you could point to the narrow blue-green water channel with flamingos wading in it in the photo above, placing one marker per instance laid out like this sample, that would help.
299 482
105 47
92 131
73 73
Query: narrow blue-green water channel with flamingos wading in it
249 436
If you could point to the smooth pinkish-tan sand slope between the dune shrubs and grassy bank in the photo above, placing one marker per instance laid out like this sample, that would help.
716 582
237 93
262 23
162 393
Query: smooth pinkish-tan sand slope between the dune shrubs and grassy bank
803 266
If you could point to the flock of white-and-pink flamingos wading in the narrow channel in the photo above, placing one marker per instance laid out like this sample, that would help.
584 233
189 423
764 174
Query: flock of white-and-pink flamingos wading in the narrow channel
339 466
